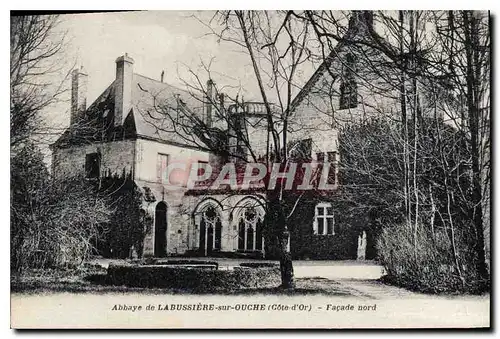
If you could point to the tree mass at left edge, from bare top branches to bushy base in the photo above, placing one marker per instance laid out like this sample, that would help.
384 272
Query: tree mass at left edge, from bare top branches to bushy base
54 220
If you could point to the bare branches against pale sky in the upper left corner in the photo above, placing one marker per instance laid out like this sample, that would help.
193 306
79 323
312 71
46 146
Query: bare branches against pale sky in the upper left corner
35 63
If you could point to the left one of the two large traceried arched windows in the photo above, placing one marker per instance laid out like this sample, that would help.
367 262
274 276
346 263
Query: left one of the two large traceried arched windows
210 231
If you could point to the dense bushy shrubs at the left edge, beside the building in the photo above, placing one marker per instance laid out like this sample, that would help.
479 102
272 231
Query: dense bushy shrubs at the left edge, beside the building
53 221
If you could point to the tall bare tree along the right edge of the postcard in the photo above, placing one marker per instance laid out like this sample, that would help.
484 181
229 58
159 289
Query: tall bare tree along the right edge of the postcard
464 69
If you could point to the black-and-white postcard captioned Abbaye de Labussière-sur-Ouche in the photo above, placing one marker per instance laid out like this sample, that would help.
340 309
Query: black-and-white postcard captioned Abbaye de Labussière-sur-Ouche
250 169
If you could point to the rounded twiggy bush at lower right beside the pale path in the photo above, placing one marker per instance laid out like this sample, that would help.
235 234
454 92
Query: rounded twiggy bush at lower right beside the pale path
425 261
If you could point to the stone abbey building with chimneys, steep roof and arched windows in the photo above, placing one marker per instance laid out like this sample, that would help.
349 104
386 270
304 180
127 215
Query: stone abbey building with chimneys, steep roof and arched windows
117 138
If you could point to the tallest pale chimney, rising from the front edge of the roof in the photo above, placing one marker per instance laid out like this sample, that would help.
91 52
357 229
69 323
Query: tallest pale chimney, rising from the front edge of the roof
123 88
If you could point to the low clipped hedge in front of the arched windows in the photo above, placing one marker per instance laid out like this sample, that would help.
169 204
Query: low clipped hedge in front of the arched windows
193 279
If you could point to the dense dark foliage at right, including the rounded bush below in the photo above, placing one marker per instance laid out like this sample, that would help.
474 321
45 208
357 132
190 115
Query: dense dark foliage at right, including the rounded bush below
415 254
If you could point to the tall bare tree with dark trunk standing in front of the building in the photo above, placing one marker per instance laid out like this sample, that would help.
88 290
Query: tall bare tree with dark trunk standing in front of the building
224 129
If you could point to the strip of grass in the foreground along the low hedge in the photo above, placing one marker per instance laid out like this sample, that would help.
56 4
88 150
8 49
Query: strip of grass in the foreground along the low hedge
93 279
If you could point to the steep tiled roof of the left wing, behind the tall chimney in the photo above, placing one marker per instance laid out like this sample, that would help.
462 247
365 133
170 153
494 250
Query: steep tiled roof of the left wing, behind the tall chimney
150 100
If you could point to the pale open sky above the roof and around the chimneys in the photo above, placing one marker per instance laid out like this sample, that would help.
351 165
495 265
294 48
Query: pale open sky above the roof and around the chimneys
170 41
